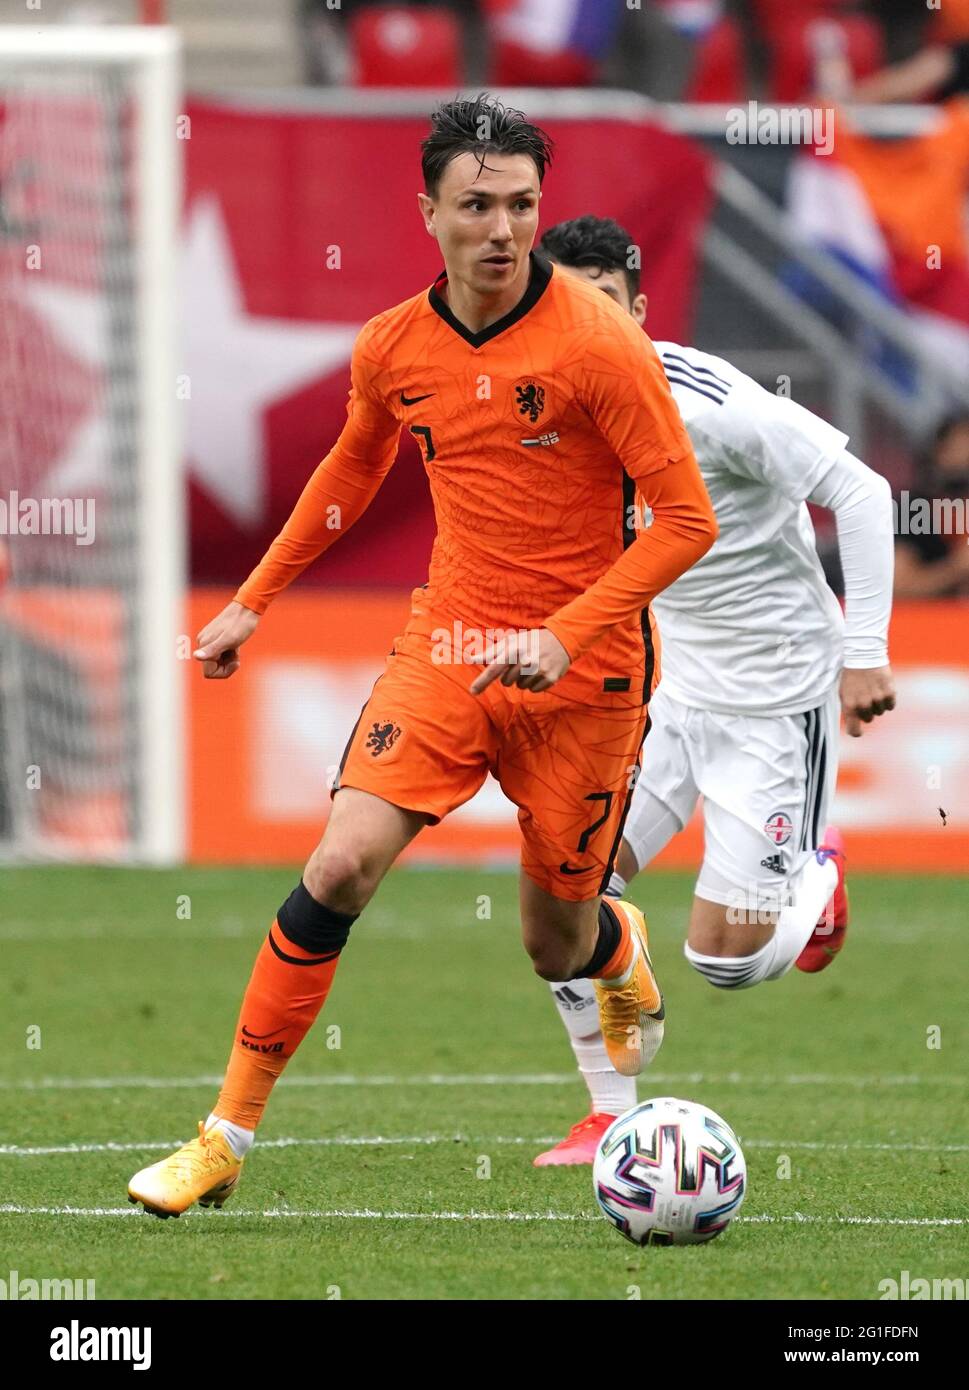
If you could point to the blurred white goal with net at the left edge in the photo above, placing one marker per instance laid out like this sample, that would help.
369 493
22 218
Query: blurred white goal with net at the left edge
92 536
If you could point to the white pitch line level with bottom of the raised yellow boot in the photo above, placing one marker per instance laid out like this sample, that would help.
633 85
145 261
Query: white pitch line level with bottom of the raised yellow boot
165 1084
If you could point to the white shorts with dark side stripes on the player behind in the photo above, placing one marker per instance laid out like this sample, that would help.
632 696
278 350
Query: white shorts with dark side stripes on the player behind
767 785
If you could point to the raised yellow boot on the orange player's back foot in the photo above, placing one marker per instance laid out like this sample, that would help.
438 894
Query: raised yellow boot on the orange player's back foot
632 1008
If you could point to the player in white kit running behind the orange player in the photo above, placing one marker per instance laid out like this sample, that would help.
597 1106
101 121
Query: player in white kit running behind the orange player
758 662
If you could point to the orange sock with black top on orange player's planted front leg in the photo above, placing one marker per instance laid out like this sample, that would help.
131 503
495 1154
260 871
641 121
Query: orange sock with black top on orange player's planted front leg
288 988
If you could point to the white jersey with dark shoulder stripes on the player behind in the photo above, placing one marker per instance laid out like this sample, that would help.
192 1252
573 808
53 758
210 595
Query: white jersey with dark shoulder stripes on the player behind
754 626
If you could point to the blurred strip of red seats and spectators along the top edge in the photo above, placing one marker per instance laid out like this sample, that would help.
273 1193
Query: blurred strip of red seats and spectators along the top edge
683 51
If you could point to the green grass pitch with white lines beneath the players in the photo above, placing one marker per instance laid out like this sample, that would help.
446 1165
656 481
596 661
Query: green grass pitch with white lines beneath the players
454 1067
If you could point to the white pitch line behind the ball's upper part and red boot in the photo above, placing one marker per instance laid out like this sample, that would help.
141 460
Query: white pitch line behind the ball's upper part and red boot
380 1140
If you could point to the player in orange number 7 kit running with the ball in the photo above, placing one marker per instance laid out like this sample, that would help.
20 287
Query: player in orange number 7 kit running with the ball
541 411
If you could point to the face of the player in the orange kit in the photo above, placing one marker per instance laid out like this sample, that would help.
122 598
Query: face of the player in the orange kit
486 219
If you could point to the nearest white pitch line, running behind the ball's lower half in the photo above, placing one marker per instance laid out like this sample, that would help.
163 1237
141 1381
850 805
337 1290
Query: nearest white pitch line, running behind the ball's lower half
366 1214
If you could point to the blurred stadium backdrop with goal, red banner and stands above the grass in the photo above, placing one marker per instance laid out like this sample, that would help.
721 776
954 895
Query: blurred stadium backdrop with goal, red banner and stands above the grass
202 202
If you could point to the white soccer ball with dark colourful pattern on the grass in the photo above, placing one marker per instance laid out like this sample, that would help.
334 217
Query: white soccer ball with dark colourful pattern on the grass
669 1174
